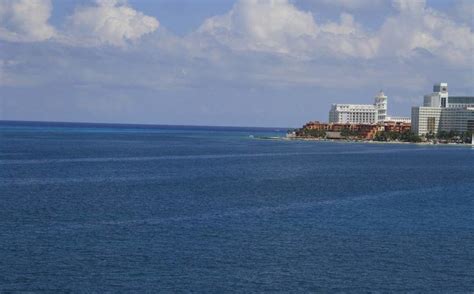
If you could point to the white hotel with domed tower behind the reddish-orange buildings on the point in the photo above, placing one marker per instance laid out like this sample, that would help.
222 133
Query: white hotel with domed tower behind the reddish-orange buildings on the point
364 113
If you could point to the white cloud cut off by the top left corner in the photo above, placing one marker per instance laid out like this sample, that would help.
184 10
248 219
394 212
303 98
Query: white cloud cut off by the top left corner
25 20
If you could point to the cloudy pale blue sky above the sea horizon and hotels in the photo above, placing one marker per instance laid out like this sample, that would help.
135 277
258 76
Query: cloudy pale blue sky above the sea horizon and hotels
275 63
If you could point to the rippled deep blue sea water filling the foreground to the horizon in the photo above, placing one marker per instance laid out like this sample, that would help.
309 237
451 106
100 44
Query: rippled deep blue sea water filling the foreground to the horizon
94 208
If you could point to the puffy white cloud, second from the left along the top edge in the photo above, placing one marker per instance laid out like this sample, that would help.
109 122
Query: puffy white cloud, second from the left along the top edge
109 22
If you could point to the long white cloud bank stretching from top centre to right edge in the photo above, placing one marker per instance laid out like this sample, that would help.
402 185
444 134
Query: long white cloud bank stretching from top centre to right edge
278 26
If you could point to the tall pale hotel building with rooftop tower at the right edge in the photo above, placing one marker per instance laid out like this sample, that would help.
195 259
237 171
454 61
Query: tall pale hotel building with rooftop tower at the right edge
443 113
